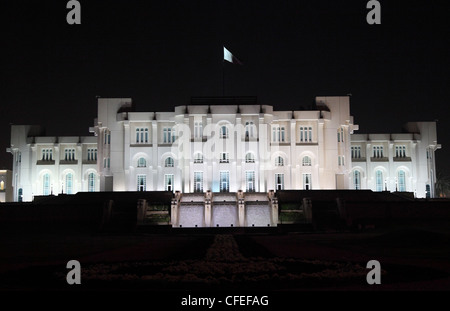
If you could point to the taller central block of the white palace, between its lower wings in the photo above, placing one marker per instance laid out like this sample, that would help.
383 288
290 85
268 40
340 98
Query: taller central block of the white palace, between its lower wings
224 145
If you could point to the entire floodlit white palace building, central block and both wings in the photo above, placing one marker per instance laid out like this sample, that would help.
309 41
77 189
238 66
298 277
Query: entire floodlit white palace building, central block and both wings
222 148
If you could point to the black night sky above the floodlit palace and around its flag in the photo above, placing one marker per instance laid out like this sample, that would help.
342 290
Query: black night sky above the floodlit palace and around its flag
160 53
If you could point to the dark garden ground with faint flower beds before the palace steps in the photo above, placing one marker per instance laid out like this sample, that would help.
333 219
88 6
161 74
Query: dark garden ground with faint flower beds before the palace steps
412 259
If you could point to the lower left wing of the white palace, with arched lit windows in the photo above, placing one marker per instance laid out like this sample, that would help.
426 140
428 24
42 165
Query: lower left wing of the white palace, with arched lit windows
44 165
